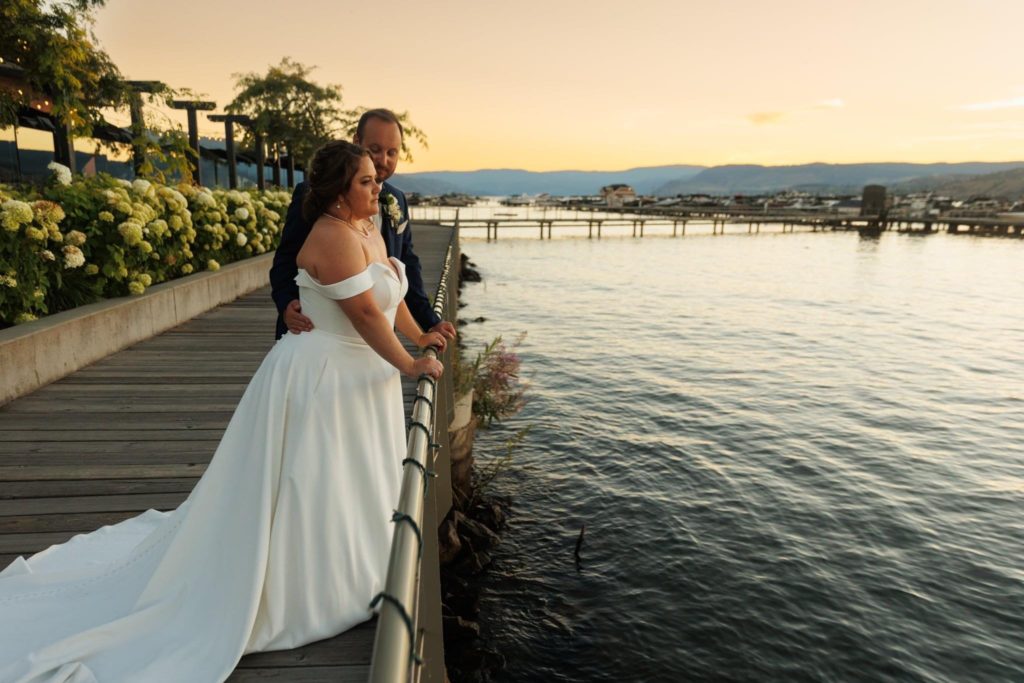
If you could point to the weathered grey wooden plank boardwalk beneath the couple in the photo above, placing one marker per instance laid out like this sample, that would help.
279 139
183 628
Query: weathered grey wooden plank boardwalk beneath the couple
138 430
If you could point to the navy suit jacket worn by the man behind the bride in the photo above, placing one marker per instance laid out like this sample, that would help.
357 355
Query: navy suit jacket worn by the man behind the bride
284 271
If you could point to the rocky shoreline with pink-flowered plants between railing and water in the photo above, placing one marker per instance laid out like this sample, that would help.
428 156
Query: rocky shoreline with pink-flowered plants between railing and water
488 391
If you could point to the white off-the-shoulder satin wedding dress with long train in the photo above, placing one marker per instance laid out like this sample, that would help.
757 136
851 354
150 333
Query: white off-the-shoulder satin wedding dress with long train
284 541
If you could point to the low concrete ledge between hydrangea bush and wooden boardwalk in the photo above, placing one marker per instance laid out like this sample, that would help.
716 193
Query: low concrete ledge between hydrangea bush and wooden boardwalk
36 354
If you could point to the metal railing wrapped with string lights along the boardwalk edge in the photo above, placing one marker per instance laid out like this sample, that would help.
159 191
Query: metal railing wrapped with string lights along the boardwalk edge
401 648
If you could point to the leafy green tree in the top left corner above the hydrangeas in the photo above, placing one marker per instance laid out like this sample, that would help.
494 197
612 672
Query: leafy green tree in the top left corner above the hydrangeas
54 45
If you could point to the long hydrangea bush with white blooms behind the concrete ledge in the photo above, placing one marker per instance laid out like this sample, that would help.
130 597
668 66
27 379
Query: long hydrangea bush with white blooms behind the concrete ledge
79 240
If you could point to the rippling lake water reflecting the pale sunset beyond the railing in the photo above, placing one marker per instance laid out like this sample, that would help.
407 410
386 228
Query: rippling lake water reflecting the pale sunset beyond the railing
798 457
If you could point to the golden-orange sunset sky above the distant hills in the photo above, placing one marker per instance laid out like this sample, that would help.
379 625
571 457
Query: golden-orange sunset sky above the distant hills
613 86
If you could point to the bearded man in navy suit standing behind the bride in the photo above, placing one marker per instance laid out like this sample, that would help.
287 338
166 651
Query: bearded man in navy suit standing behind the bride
381 134
